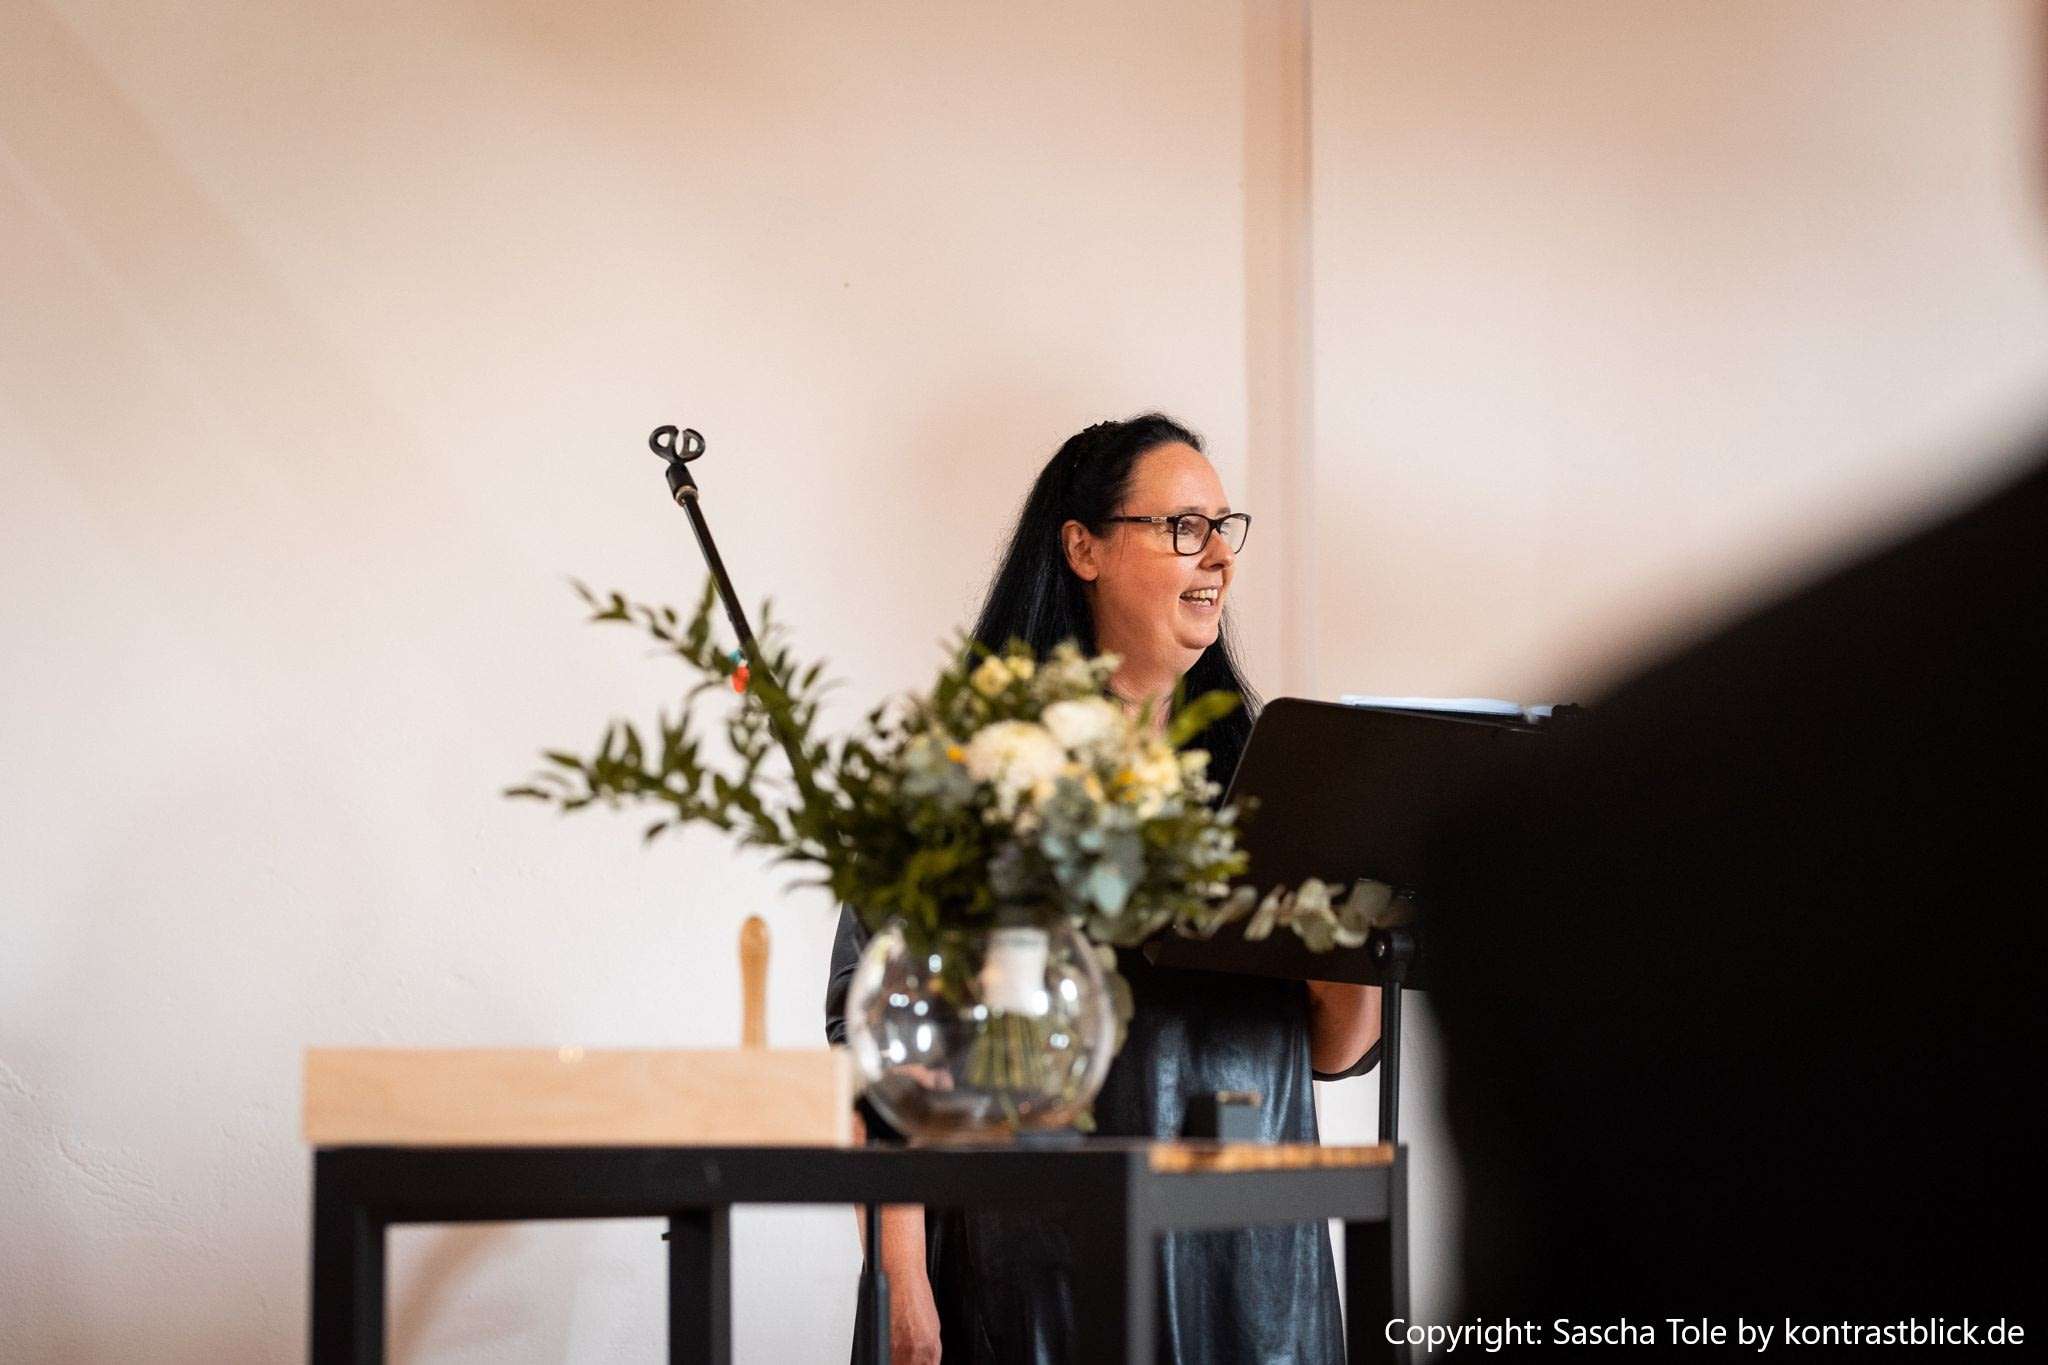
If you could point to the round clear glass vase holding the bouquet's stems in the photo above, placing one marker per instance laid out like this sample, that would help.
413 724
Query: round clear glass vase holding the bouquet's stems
982 1034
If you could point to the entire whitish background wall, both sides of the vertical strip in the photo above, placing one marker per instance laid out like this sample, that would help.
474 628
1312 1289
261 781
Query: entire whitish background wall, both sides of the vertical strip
331 337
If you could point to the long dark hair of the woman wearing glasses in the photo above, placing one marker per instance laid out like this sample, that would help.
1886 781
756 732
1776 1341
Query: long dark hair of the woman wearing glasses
1039 601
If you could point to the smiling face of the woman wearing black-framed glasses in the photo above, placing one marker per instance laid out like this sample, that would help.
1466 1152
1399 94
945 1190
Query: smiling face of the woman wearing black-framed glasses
1154 607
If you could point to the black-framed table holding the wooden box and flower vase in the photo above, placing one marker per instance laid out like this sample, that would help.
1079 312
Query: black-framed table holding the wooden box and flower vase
1117 1198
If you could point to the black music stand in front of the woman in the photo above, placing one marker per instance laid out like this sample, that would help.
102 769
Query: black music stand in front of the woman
1345 793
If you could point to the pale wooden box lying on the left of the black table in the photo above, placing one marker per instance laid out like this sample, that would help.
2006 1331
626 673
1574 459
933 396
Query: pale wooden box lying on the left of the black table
577 1098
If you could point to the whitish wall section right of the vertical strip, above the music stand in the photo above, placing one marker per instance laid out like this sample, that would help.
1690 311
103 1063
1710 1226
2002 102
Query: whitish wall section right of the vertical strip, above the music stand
1623 310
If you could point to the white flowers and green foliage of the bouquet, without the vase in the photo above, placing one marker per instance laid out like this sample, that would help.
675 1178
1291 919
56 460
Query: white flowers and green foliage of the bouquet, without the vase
1013 783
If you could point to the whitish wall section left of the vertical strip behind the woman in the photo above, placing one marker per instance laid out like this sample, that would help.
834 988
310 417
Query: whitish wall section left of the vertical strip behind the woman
331 343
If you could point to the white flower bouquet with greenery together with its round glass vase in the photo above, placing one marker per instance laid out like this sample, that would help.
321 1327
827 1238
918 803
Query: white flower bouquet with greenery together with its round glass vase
998 838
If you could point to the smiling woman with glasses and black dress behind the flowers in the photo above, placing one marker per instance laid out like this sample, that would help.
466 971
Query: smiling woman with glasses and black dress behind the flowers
1127 545
